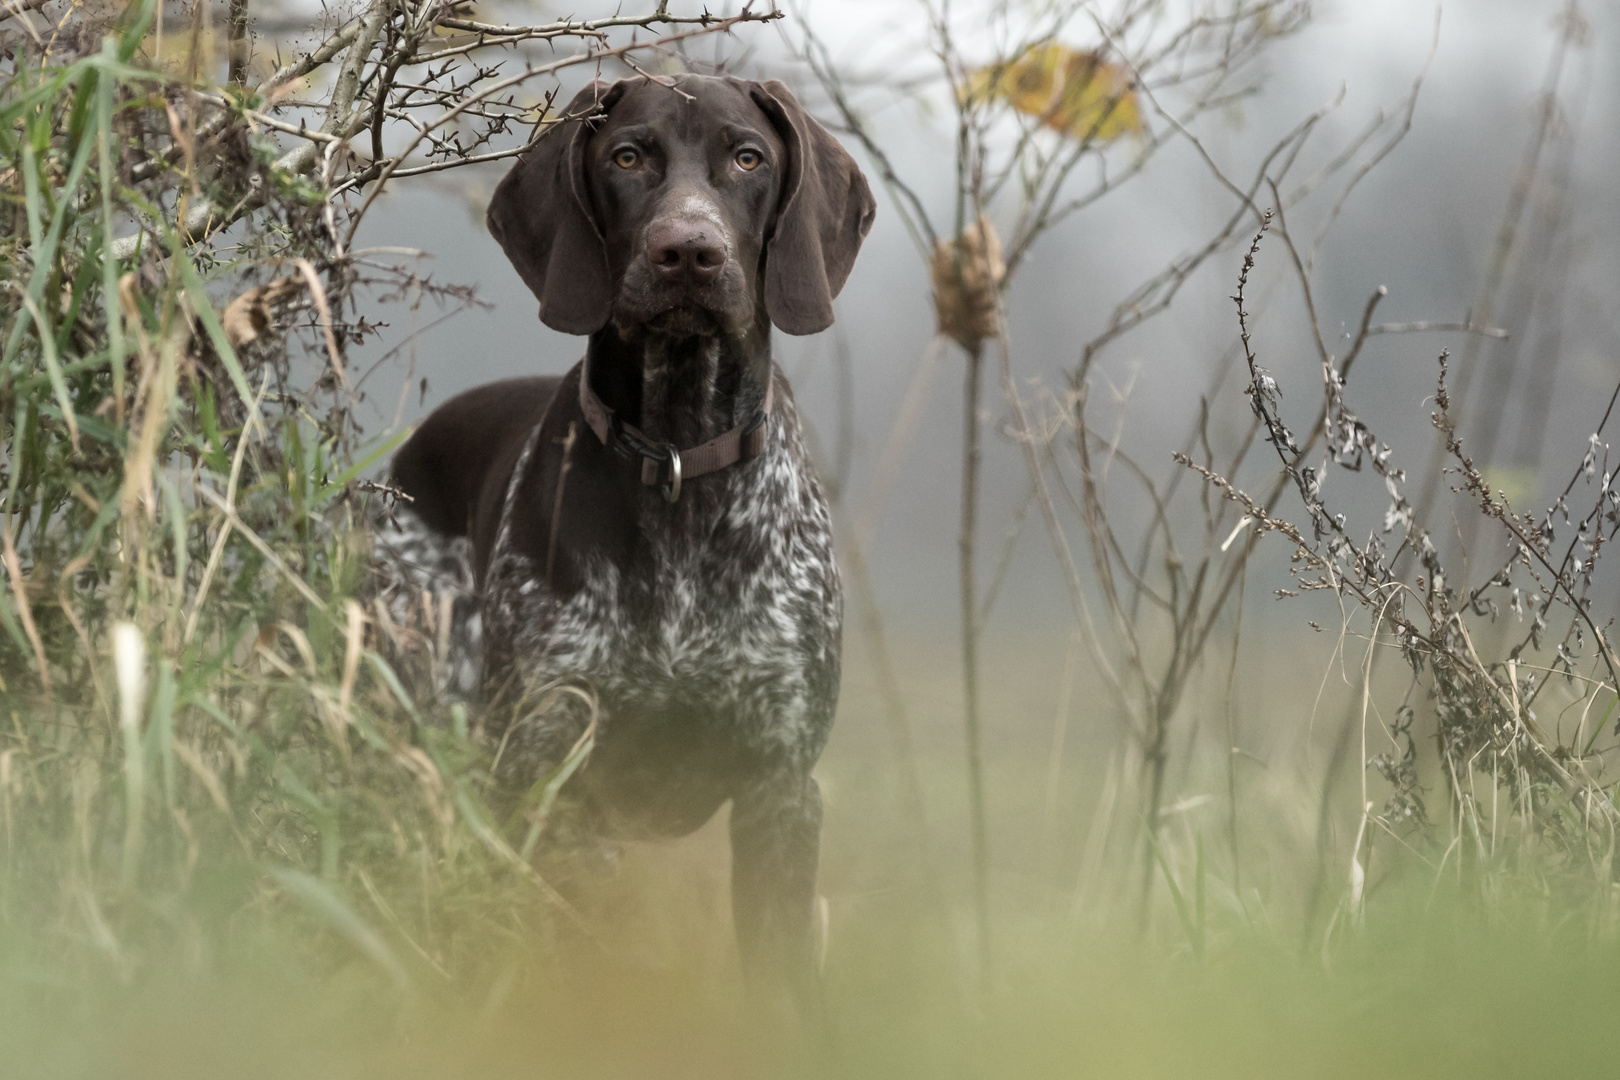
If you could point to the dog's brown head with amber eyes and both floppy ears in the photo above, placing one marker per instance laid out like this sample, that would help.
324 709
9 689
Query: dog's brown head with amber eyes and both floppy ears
684 210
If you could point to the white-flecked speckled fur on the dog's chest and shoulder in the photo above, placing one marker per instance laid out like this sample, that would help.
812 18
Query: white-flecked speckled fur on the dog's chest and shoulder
723 619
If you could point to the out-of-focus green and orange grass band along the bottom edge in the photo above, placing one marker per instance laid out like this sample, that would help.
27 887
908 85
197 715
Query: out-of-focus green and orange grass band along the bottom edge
1436 982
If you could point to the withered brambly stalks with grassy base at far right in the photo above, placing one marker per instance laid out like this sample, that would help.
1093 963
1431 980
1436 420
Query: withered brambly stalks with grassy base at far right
1481 697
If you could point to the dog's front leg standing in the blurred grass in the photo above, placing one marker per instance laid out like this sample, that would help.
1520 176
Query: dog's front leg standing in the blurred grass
775 849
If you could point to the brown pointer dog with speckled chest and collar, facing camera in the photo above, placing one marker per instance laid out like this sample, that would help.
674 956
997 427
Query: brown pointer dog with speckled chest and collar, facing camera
649 530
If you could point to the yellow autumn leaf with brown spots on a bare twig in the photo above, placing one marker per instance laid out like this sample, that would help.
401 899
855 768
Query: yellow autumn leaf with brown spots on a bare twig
1075 93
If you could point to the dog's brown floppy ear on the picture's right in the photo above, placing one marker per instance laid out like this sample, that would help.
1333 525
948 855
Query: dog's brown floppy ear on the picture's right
824 215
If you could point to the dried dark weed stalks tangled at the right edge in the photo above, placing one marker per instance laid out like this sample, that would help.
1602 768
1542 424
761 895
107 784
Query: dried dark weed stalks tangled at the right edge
1483 708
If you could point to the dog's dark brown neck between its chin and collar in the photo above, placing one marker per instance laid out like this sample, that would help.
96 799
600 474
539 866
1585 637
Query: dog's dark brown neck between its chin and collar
681 391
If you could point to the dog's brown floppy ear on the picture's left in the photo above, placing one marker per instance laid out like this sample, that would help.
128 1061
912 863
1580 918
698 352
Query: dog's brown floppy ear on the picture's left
542 218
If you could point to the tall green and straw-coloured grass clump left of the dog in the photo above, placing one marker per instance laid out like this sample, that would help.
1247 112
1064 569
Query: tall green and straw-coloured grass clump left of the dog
200 728
